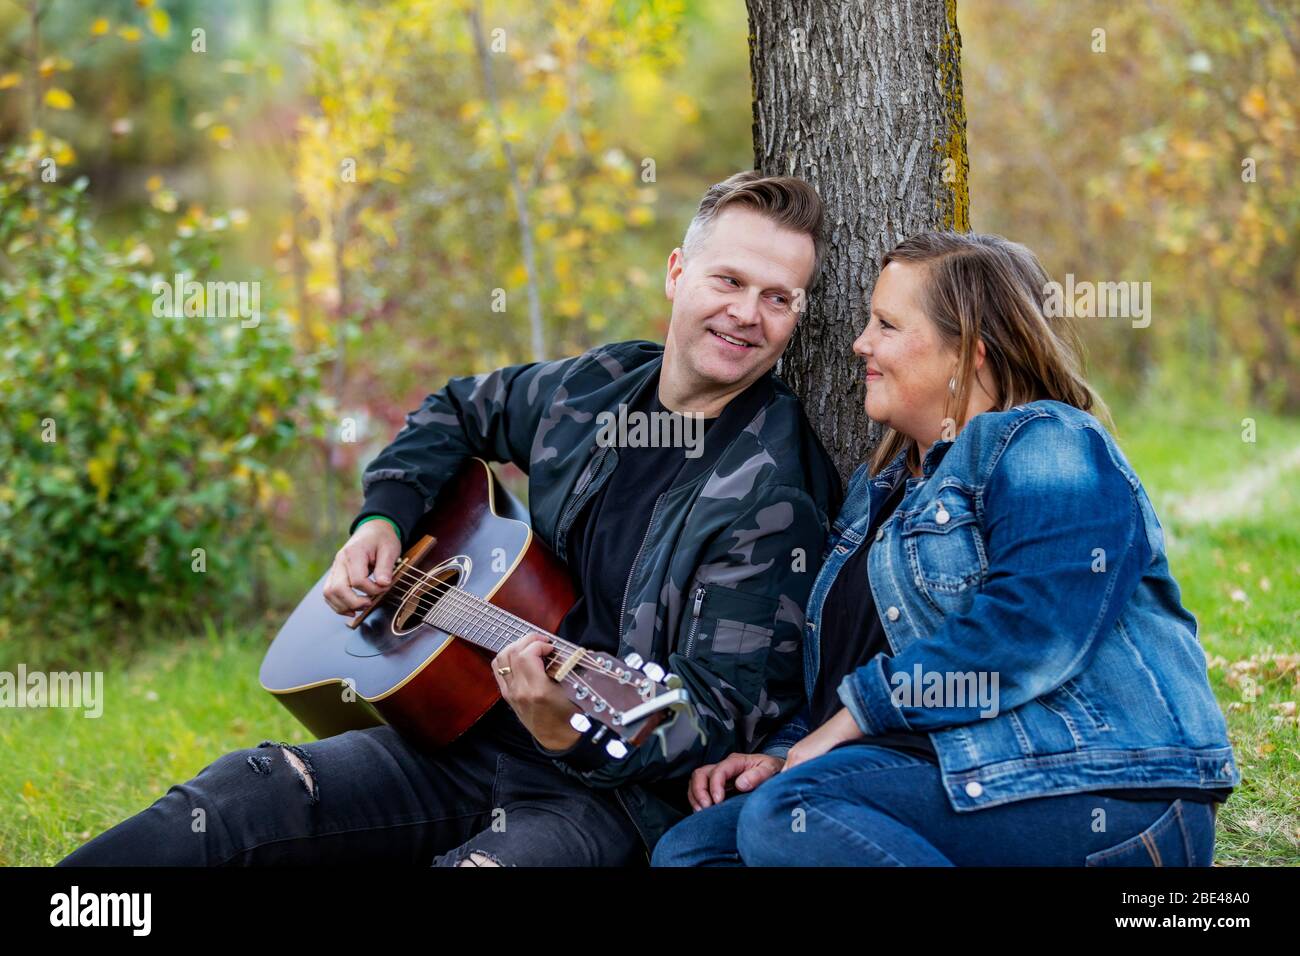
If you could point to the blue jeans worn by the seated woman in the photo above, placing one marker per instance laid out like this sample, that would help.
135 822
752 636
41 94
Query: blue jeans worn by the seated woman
863 806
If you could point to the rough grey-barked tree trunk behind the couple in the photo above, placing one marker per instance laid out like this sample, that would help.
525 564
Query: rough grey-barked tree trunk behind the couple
864 101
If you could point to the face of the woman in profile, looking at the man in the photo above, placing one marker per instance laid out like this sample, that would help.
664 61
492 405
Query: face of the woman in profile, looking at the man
908 364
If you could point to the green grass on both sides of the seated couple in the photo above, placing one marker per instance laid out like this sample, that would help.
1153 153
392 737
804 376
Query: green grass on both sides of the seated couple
175 707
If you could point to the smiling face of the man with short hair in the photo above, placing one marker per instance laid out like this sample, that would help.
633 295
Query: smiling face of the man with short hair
734 300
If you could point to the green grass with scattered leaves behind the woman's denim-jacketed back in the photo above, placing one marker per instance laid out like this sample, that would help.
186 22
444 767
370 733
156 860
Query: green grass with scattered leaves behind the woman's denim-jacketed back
1241 577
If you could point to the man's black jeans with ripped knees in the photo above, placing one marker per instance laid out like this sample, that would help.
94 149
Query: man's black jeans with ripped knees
374 799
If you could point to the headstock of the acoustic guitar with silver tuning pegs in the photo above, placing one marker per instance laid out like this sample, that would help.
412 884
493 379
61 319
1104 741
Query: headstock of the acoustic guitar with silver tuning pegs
630 698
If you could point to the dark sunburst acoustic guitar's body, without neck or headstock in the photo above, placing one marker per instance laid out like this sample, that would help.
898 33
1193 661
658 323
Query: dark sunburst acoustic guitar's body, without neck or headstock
396 668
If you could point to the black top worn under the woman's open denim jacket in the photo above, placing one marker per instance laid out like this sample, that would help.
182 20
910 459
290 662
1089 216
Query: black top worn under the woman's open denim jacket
852 635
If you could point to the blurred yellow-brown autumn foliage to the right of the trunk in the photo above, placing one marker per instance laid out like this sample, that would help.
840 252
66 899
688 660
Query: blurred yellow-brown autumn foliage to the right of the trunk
1164 149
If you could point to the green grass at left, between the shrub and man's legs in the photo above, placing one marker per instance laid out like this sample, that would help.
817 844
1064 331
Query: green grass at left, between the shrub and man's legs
166 717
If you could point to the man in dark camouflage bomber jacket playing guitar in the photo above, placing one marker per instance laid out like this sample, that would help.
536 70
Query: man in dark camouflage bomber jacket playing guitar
697 559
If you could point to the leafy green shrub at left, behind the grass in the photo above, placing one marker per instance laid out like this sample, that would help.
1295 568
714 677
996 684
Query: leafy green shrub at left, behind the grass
138 449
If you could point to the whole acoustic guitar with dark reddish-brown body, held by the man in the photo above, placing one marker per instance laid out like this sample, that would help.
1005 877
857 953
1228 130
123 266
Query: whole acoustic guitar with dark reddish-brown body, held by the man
418 657
